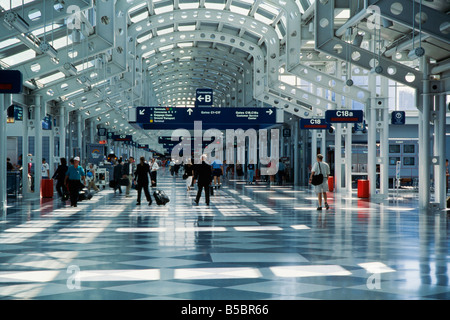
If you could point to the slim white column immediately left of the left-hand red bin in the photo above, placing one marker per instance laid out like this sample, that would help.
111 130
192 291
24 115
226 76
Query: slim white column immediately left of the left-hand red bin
37 146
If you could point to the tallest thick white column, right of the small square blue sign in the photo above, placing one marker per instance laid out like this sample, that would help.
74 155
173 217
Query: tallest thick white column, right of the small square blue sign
424 140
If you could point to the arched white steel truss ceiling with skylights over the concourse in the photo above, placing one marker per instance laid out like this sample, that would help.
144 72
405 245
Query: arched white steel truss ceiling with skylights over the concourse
148 52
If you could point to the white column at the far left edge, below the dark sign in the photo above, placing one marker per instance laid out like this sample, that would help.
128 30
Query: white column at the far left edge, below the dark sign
5 102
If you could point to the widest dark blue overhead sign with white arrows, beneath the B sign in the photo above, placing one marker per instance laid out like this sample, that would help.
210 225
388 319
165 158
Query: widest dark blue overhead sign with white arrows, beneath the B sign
174 118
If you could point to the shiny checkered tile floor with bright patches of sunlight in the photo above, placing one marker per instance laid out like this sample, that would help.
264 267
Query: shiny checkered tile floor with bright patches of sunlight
253 242
